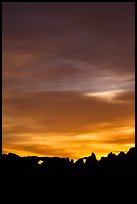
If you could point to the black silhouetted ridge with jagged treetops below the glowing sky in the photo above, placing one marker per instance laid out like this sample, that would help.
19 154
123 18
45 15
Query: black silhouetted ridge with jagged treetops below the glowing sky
111 179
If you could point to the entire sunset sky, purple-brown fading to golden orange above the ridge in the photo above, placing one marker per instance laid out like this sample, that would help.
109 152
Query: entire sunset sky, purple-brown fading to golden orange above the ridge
68 73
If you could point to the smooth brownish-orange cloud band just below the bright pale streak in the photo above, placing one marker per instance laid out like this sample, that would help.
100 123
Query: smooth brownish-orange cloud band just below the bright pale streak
64 111
